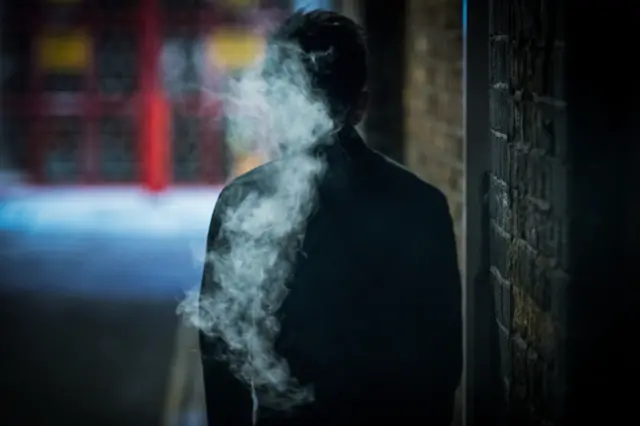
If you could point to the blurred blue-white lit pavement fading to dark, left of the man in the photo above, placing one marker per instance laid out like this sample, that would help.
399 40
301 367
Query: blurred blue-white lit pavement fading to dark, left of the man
89 284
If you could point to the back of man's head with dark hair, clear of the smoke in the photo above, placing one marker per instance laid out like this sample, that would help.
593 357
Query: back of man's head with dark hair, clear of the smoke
334 56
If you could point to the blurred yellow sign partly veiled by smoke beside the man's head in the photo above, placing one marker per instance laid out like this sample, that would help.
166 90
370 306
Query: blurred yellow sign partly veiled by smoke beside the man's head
235 48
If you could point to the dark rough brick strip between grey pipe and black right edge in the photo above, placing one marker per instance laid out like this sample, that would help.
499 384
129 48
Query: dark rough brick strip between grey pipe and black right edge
528 207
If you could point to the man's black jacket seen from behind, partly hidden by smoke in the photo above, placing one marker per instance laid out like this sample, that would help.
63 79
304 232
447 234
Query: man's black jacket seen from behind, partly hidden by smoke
373 317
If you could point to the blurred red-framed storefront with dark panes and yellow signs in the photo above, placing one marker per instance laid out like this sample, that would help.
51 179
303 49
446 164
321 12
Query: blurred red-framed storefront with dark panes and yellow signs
124 91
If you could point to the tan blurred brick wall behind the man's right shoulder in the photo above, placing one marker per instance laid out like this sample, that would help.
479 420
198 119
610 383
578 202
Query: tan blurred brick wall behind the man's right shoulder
433 145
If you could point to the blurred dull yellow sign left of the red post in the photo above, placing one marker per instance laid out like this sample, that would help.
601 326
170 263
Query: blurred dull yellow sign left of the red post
64 52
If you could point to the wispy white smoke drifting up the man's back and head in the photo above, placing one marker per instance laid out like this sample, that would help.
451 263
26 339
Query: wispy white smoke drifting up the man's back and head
282 116
